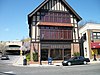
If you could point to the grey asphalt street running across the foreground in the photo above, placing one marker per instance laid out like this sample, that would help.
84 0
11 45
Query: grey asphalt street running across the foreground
91 69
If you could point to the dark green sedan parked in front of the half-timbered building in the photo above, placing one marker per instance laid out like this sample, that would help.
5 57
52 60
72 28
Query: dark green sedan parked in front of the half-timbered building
75 61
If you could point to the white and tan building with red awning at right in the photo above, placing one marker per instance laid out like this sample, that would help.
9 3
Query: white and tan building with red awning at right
90 39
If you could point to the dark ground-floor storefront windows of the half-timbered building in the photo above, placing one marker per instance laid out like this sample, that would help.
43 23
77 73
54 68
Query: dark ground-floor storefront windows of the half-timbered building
55 54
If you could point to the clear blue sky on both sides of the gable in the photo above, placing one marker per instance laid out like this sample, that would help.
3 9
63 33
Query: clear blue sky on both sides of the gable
13 15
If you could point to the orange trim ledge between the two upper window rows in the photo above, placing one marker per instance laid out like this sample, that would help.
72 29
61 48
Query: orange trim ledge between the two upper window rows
54 24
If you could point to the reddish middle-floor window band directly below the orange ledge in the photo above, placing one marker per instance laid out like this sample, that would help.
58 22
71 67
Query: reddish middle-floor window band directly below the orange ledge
55 34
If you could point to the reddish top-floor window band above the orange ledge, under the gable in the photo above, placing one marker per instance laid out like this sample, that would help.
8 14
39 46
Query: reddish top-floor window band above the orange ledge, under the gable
59 17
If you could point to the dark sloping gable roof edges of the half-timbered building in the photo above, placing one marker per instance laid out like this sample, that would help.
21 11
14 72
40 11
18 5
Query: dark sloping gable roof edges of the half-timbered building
43 3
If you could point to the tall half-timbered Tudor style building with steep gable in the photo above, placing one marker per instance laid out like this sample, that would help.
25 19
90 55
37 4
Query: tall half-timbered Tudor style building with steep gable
53 28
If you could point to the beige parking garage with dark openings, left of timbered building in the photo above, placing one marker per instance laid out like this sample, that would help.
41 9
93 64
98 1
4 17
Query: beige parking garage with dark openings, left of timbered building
12 47
